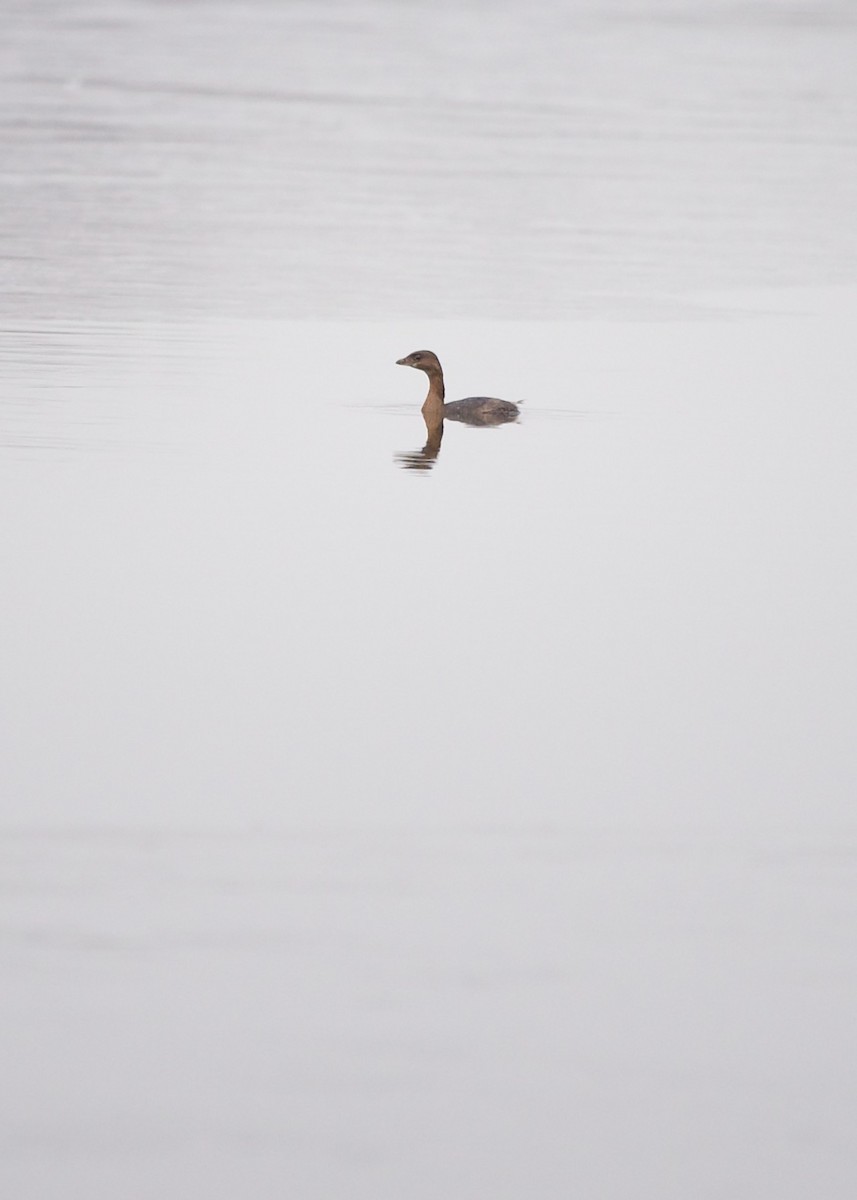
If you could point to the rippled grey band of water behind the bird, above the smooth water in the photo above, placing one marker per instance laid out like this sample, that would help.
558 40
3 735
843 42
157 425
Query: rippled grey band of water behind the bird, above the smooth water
469 160
